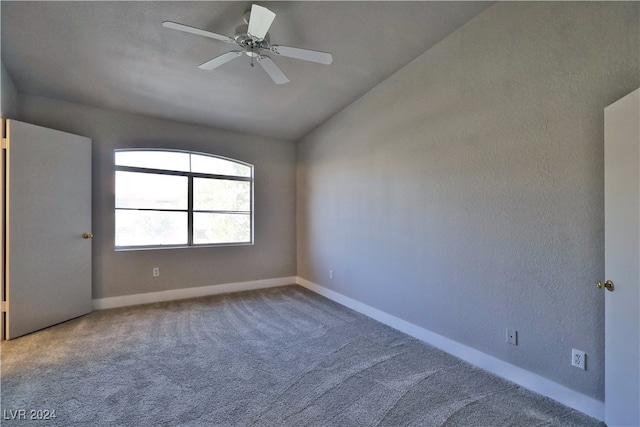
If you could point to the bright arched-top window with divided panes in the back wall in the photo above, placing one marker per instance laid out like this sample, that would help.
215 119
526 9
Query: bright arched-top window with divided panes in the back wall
171 198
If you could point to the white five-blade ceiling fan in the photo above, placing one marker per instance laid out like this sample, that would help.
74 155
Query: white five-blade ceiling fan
253 38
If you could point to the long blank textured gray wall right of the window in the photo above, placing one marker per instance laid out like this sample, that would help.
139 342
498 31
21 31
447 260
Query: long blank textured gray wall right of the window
465 193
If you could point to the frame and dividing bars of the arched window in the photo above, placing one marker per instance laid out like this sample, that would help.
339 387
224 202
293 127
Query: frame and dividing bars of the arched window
190 208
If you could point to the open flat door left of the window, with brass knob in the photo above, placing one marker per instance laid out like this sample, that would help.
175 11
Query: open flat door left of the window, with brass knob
48 209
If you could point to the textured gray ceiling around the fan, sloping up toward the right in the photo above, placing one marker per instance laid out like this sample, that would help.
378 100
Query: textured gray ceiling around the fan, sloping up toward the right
117 55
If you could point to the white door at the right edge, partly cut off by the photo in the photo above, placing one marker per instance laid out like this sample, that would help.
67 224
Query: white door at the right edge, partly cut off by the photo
622 261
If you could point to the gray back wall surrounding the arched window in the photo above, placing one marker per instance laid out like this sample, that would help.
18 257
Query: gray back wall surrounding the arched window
129 272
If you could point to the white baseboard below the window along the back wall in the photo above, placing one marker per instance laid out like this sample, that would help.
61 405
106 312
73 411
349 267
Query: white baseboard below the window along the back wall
200 291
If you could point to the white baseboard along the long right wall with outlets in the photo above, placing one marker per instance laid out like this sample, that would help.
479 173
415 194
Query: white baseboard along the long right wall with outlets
522 377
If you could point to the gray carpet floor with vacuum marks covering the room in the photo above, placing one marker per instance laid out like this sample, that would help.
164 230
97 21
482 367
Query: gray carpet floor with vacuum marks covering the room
275 357
